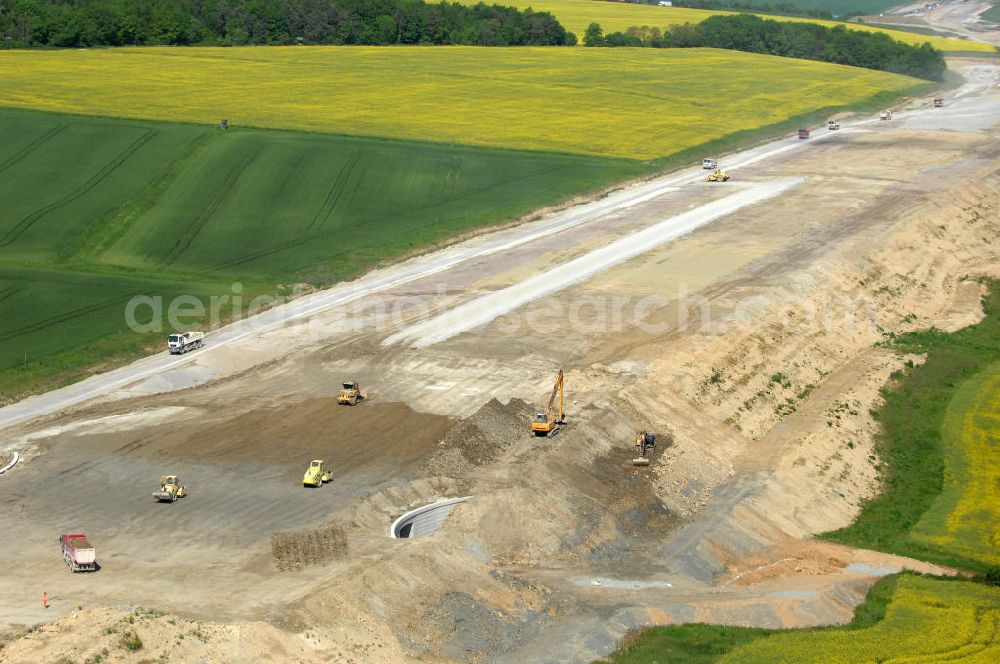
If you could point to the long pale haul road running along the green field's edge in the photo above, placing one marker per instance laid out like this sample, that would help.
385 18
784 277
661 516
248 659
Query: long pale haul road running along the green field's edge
379 281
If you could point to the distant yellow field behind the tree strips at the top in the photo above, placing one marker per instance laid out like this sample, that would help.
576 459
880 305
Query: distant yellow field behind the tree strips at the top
576 15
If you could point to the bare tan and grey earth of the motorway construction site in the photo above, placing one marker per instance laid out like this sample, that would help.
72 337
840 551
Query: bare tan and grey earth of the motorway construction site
757 361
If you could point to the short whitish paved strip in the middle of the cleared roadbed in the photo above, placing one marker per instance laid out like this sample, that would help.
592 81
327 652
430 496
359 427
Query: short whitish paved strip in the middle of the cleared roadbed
484 309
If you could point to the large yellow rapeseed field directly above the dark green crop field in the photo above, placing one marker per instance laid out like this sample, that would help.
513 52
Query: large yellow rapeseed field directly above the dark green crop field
635 103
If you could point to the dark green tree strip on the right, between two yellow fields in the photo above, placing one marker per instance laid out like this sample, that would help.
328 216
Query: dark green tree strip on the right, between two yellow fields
808 41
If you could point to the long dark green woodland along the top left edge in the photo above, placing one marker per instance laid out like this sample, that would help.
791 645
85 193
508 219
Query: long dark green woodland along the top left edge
80 23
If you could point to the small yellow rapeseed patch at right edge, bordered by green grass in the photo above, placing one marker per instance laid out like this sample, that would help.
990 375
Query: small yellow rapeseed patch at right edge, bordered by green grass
965 518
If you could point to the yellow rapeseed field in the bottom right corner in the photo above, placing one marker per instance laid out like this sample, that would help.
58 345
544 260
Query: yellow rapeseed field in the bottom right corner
928 620
